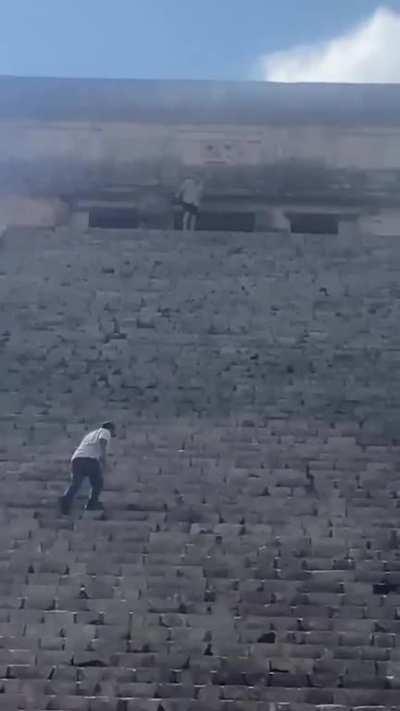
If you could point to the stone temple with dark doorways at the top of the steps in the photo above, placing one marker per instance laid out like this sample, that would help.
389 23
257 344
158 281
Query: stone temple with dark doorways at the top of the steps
308 158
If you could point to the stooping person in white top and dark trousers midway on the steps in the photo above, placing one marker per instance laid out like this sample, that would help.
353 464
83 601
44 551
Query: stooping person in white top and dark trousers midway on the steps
89 461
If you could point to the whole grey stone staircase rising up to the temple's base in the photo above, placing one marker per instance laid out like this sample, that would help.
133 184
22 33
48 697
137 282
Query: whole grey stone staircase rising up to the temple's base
249 555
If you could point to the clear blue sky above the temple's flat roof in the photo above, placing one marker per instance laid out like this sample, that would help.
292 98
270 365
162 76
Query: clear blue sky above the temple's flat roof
210 39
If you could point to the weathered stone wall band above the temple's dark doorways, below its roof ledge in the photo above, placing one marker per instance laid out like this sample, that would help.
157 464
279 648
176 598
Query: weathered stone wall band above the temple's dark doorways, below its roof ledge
69 158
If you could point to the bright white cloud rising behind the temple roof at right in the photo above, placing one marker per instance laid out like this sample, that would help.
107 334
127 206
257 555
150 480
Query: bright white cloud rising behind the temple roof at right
368 53
